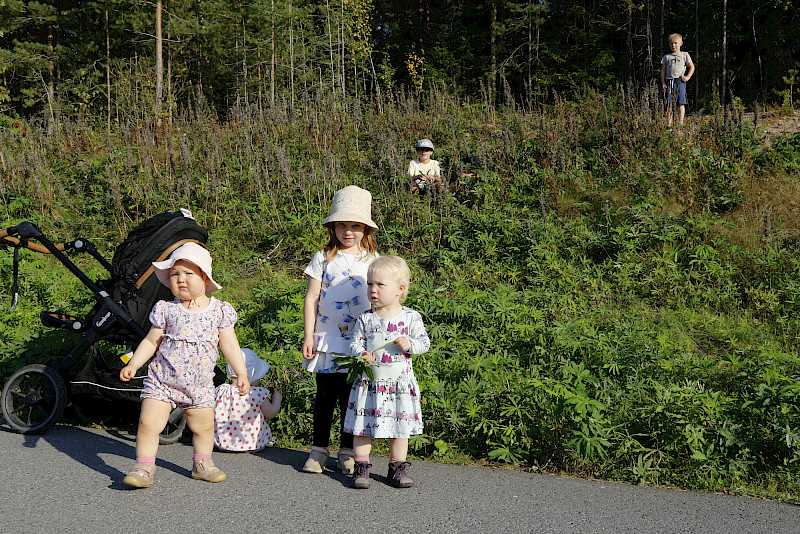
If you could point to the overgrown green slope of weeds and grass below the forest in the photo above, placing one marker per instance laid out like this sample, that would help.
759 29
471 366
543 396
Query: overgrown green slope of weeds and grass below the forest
604 297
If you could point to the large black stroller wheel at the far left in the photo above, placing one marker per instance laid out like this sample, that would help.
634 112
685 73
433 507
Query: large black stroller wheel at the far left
34 399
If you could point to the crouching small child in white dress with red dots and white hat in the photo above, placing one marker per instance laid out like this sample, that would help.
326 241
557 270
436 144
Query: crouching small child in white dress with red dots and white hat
240 421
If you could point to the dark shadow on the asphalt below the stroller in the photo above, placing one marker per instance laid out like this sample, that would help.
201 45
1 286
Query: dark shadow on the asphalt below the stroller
85 447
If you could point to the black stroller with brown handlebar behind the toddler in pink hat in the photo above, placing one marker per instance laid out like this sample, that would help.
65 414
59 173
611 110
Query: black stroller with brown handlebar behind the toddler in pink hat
34 397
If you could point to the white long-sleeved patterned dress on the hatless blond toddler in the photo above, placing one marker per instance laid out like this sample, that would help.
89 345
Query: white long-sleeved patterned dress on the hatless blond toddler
390 405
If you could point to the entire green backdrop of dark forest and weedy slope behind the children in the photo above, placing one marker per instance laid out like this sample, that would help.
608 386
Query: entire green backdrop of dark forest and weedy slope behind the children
605 298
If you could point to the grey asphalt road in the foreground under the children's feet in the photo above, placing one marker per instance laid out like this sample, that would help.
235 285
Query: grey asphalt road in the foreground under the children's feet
70 480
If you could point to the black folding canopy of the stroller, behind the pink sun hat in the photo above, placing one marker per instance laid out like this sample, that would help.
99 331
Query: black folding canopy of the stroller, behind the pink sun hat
133 282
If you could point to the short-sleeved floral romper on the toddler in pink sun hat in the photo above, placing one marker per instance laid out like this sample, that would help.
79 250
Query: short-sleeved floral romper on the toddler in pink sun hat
182 372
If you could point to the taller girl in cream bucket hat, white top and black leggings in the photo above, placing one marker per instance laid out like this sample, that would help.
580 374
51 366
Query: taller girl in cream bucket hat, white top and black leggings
336 295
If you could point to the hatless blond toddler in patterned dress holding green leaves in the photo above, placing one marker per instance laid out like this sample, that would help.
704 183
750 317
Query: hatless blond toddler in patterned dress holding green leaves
389 405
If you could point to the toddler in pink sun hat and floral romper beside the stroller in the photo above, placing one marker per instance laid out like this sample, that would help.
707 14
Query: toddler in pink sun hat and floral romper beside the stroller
185 336
